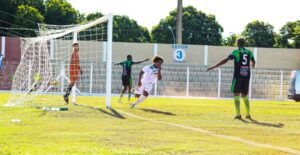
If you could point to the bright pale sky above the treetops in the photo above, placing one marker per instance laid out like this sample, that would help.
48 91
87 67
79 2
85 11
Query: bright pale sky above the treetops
232 15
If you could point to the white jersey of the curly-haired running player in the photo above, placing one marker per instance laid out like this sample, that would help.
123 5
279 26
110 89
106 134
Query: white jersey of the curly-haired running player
150 74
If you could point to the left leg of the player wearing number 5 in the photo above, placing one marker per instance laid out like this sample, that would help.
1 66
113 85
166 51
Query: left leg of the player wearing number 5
235 88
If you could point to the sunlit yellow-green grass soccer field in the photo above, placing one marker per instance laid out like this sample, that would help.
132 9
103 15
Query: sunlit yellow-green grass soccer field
157 126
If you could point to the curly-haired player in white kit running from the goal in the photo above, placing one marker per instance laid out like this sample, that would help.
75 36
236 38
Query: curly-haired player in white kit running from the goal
147 78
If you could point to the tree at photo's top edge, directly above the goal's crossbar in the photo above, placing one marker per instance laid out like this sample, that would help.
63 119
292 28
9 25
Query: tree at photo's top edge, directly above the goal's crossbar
60 12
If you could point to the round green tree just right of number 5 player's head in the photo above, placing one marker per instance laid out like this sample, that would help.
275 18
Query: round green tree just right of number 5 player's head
259 34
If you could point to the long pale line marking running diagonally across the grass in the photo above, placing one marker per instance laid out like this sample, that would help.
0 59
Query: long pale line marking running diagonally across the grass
211 133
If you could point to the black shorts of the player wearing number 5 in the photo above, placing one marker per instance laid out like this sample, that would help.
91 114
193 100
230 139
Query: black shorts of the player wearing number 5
240 85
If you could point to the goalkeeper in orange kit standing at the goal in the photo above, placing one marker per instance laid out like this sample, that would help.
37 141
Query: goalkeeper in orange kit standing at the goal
74 71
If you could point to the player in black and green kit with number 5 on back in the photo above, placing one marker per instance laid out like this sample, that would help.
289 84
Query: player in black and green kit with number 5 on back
241 77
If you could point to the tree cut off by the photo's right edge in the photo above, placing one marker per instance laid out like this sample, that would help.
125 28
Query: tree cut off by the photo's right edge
289 35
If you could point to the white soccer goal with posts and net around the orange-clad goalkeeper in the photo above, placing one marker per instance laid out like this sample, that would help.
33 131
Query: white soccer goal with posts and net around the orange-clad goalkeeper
48 65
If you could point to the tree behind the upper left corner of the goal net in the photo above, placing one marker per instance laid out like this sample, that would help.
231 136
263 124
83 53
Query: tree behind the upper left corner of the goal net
28 19
